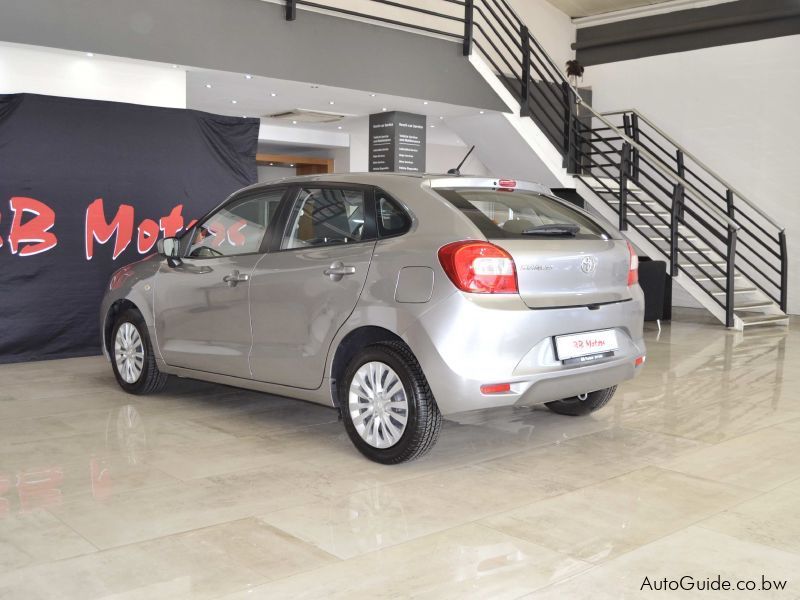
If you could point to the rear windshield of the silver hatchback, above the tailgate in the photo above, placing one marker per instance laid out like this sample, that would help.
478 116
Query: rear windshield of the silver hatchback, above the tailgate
507 214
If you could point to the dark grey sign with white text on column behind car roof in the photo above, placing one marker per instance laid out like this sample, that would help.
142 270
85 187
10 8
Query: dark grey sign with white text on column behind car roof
397 142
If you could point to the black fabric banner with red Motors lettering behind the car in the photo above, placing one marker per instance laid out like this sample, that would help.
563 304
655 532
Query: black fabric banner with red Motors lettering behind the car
88 186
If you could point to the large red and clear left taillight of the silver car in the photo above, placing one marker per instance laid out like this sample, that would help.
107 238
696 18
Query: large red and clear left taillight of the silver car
479 267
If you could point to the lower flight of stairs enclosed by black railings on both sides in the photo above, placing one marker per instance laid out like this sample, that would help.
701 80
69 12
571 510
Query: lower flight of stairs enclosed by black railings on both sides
728 254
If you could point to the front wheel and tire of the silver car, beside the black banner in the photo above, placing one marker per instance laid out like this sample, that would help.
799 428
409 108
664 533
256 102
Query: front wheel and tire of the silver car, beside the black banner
130 340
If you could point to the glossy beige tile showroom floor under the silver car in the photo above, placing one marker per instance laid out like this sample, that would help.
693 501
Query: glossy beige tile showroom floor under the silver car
211 492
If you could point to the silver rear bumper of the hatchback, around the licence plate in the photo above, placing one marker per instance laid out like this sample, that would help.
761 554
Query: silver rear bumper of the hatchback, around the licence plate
467 341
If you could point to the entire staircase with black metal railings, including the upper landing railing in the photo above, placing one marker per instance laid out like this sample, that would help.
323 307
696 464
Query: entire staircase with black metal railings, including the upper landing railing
718 245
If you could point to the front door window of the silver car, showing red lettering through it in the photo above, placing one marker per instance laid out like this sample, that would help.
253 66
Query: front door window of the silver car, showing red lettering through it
237 228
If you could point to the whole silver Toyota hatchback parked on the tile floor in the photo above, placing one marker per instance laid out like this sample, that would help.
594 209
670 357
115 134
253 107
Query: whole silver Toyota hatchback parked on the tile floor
395 298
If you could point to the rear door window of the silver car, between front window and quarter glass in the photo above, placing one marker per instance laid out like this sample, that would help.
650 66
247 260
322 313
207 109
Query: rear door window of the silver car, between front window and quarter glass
323 217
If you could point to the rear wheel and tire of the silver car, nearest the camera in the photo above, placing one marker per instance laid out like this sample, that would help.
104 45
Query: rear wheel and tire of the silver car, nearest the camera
381 435
